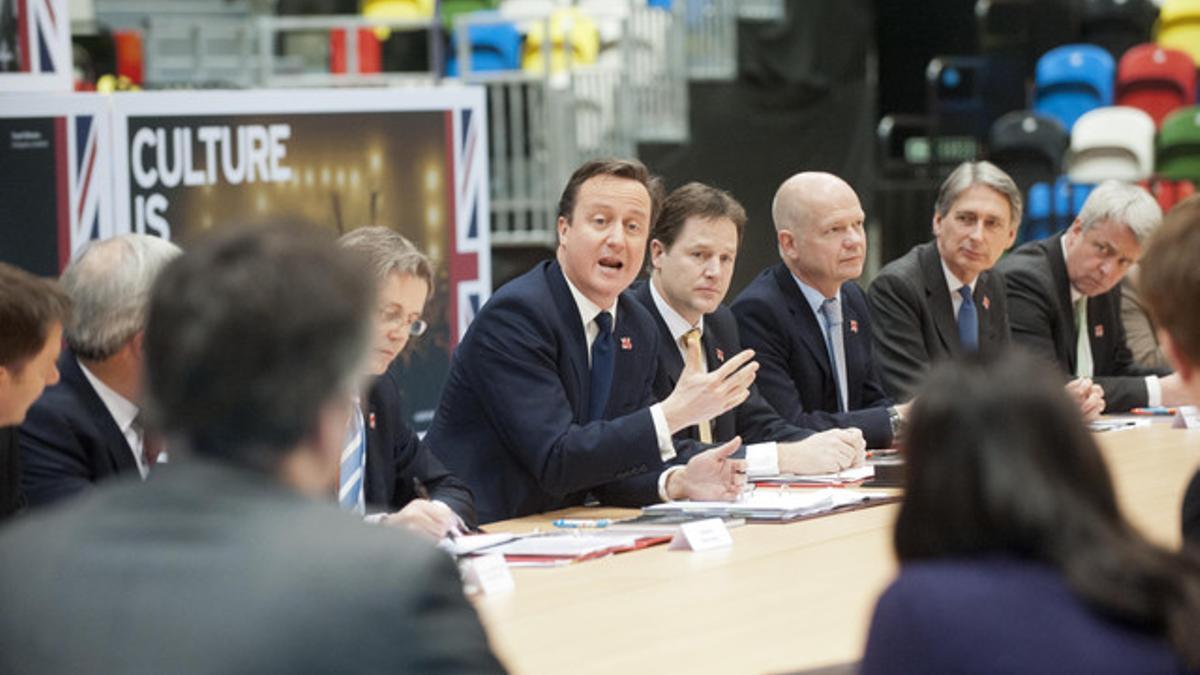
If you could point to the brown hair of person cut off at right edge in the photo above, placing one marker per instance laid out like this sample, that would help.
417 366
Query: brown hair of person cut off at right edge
1169 277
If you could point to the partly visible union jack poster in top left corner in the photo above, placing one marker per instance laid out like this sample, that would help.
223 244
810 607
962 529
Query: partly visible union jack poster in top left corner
35 46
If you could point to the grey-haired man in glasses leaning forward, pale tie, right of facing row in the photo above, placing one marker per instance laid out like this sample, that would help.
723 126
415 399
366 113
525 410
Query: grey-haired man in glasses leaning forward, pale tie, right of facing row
1065 304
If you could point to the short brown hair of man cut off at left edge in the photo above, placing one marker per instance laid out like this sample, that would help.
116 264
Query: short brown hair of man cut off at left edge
29 308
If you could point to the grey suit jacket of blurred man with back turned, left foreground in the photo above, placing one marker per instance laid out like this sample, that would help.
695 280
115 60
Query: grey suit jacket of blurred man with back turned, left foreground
207 569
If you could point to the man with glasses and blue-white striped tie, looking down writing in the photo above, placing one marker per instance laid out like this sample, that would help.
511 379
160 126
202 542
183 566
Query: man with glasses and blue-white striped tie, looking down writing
385 465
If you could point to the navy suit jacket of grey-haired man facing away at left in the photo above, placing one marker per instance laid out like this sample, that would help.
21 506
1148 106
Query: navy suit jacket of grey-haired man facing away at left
70 441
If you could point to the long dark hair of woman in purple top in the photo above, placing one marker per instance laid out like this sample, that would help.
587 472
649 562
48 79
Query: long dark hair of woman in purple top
999 462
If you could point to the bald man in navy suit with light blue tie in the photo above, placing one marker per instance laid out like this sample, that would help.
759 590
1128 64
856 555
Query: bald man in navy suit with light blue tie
808 321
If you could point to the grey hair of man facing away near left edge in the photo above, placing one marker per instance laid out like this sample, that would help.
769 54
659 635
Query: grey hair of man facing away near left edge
110 288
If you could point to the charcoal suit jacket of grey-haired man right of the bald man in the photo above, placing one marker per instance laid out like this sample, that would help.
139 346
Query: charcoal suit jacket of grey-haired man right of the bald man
915 325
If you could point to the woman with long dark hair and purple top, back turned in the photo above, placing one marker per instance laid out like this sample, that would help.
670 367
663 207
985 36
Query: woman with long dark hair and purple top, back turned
1015 555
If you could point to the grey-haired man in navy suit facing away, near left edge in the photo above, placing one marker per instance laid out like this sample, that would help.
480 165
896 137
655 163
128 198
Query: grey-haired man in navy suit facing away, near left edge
89 427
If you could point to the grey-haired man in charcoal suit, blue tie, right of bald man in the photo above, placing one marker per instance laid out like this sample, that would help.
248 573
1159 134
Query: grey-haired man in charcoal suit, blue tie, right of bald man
944 298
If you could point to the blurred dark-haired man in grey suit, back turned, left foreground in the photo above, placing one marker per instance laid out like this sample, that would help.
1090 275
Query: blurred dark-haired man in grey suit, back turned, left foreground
231 558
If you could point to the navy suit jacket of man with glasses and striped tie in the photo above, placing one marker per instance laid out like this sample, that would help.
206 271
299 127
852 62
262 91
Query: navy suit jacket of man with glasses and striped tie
397 456
